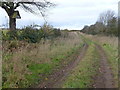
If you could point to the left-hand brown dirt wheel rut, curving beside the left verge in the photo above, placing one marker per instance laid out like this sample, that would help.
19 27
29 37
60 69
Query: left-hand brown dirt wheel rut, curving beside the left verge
55 80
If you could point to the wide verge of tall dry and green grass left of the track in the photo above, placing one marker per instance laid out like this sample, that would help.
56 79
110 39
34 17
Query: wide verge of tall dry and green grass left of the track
28 63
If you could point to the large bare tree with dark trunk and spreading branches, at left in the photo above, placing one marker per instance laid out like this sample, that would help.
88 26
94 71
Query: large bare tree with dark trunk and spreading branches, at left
30 6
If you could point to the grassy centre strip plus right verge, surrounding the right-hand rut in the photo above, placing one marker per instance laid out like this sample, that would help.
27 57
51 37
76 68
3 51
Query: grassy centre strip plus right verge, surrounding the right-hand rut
82 75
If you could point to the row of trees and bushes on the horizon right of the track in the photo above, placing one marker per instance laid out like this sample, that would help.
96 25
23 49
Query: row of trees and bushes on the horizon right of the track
107 24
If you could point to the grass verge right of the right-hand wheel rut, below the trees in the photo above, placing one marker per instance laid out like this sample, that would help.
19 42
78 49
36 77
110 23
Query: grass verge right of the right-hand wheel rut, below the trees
110 46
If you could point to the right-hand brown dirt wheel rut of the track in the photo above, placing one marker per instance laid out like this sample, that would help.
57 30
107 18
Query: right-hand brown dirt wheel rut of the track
104 79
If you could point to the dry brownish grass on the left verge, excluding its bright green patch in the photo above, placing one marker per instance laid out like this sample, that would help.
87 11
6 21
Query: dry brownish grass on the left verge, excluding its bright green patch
15 63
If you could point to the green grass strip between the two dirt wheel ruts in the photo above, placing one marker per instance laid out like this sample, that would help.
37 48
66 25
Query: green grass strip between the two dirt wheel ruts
82 75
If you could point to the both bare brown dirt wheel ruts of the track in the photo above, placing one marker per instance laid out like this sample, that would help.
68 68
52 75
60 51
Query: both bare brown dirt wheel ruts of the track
104 79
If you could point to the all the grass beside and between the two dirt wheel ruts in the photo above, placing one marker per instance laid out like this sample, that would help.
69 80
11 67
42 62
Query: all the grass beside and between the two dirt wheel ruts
29 65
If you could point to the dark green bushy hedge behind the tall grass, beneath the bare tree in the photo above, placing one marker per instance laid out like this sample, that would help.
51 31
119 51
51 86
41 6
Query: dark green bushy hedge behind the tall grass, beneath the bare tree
31 34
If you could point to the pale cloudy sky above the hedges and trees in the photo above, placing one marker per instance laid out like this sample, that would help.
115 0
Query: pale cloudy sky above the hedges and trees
70 14
